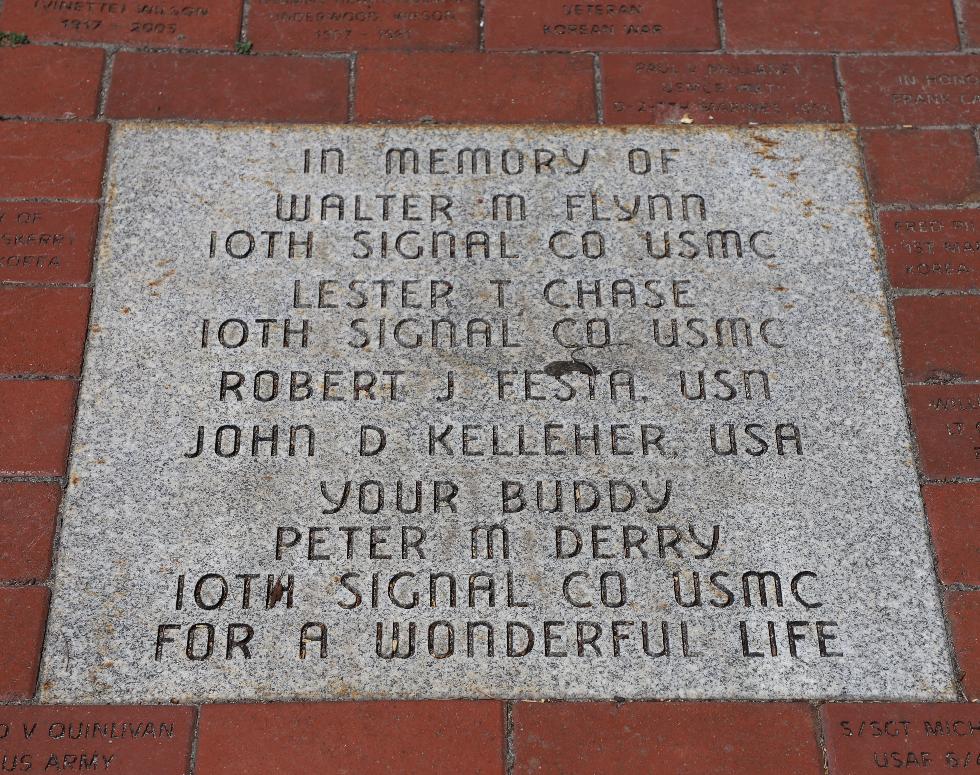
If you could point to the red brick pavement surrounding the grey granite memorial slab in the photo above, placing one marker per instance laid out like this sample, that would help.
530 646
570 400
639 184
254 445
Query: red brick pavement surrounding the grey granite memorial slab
906 72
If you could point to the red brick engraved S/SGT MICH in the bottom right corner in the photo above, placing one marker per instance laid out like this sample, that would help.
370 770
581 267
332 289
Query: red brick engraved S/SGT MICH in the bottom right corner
871 737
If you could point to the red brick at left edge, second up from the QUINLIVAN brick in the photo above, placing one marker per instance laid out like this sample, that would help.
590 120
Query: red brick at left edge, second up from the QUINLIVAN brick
28 513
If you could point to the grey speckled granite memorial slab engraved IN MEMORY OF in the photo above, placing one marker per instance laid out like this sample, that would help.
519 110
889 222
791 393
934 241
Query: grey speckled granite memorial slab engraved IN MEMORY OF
498 412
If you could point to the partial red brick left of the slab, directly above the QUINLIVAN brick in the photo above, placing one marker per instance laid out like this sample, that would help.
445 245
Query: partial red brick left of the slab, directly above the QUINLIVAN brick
23 611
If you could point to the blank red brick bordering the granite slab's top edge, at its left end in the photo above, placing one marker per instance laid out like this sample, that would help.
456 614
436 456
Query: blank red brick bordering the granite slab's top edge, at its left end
234 88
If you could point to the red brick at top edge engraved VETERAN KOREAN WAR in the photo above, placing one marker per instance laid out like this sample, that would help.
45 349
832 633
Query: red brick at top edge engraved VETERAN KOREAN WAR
556 25
